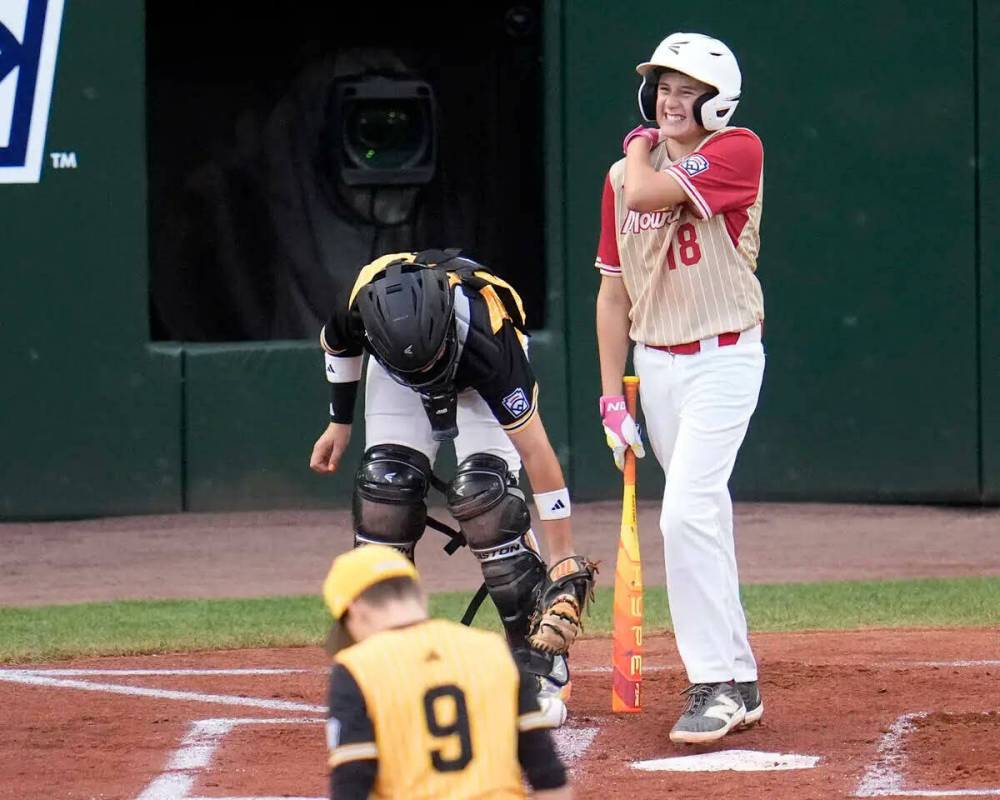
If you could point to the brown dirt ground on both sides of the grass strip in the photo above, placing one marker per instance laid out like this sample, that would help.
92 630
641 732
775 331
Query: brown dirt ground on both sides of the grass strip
862 714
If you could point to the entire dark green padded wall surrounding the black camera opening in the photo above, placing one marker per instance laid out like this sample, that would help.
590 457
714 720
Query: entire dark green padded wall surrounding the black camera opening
880 265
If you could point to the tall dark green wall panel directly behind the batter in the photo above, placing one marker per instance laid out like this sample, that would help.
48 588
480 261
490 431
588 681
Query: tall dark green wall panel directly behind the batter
868 255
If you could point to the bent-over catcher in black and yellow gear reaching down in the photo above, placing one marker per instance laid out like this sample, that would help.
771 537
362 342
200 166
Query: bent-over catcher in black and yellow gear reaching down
448 351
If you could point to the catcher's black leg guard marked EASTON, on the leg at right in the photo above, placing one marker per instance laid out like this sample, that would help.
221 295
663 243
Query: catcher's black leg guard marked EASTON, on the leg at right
497 526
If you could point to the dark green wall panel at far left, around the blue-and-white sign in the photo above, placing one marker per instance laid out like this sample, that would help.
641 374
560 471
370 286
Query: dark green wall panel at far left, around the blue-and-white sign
90 420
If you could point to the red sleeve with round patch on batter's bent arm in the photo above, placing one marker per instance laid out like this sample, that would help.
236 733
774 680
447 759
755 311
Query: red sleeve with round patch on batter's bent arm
724 175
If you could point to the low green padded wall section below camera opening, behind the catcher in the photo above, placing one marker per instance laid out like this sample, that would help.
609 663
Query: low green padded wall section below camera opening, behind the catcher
253 412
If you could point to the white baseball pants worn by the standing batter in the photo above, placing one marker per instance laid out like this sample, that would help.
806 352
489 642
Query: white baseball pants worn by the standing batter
697 409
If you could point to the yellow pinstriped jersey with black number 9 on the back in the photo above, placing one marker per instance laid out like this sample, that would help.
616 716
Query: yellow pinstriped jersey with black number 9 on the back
440 708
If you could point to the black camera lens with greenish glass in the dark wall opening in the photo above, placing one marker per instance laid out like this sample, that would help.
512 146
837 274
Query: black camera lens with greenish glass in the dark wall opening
386 135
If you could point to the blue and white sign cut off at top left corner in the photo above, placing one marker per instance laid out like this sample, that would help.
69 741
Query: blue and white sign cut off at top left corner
29 40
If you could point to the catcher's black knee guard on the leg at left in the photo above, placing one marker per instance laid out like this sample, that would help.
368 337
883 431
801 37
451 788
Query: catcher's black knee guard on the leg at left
389 491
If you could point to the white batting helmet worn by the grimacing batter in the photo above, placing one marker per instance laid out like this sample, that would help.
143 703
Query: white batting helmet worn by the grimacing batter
703 58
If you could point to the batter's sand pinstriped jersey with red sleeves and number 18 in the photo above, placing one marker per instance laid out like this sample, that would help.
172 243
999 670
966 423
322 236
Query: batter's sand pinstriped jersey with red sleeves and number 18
689 269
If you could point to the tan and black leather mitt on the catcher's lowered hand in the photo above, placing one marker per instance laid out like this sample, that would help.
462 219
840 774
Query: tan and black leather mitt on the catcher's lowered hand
557 621
